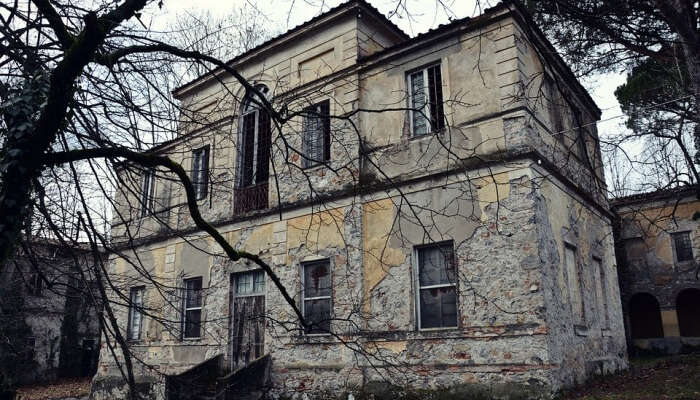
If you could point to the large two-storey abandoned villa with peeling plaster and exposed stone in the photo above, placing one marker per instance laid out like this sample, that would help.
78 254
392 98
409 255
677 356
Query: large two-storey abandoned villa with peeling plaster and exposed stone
435 206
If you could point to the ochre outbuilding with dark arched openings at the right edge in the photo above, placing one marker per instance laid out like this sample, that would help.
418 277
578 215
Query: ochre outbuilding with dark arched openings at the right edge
659 252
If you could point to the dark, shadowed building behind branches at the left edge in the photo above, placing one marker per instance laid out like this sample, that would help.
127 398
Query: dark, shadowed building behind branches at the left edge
48 328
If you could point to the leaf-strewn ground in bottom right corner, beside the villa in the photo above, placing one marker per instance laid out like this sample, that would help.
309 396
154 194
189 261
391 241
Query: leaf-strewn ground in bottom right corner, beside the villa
672 378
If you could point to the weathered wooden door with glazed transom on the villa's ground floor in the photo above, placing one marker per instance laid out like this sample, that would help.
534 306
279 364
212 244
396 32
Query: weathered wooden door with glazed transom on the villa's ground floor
247 326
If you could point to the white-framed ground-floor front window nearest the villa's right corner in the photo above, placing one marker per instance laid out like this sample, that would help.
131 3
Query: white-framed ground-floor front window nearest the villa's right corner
437 286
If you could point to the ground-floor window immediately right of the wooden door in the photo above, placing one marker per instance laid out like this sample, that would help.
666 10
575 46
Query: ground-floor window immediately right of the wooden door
316 296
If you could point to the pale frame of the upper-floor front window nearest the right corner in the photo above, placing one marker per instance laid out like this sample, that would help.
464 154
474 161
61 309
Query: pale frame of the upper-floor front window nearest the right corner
426 112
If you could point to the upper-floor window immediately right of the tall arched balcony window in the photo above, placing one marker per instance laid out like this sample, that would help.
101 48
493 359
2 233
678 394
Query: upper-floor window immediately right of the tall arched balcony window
316 134
